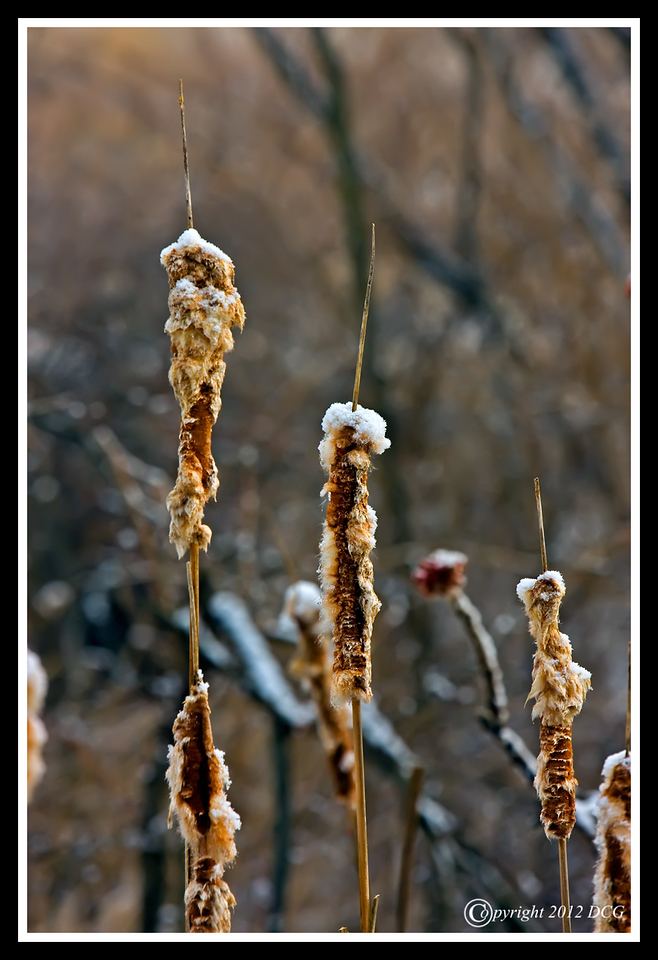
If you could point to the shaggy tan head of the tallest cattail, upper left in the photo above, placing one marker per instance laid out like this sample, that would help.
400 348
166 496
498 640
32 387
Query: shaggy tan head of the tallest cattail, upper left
203 307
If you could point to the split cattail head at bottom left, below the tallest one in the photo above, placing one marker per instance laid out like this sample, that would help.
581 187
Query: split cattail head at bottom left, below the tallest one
198 780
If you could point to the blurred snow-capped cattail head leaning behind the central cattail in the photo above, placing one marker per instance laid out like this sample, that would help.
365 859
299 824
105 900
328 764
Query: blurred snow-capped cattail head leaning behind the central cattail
312 664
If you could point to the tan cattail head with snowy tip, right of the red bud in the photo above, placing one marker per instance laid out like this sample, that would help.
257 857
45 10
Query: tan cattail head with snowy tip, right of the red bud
559 687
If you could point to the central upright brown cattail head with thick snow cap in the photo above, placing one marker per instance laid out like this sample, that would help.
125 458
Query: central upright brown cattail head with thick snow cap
346 571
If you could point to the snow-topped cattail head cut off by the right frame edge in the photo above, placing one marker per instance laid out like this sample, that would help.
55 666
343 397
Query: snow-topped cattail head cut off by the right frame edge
612 876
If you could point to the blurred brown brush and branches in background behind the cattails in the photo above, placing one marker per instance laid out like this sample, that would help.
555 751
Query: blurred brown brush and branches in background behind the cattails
495 166
